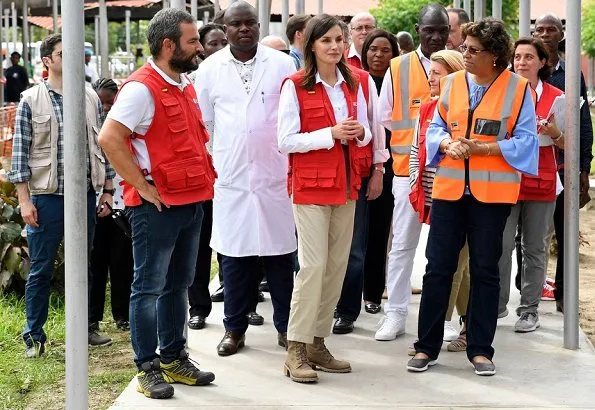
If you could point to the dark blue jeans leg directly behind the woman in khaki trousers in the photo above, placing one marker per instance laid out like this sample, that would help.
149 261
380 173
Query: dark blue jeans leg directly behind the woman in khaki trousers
350 303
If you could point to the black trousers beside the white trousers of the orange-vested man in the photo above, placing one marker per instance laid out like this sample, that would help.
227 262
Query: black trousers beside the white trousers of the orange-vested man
380 215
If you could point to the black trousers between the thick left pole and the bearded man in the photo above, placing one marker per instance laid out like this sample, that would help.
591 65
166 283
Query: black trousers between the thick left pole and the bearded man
112 253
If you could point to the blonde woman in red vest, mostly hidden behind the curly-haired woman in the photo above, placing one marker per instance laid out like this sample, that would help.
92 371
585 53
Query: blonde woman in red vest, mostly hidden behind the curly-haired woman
443 62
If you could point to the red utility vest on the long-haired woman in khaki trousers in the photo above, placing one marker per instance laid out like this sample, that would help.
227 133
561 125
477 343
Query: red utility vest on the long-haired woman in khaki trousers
319 177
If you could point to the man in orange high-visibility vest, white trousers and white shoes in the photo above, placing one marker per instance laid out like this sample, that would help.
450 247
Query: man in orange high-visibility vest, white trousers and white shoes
404 90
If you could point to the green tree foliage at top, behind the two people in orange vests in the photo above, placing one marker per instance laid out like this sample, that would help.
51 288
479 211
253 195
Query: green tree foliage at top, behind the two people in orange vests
402 15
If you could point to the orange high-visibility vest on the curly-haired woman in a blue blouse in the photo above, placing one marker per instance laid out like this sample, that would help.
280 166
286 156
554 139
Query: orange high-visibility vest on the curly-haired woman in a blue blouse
490 178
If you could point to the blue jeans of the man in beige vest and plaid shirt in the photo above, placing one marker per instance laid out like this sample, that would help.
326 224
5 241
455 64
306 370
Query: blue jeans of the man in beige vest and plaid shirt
43 247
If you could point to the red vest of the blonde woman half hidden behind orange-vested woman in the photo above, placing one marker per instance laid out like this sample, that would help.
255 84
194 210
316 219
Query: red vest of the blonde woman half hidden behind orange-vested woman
417 196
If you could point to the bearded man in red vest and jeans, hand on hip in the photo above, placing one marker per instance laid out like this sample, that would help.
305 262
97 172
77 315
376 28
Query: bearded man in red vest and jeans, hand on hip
155 138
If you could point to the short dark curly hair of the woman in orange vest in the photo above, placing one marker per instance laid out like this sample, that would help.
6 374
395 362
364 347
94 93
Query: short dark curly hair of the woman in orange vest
493 37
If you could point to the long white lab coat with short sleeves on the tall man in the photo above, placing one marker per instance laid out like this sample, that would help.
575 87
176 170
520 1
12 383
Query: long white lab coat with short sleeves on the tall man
252 213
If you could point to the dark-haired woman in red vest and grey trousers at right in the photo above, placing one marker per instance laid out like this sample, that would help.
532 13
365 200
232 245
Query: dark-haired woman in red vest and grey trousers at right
537 198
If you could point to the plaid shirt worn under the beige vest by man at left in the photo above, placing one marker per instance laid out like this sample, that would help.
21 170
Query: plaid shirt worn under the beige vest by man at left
23 136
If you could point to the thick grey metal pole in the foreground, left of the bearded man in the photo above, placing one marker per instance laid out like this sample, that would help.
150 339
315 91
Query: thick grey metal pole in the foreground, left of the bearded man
75 207
